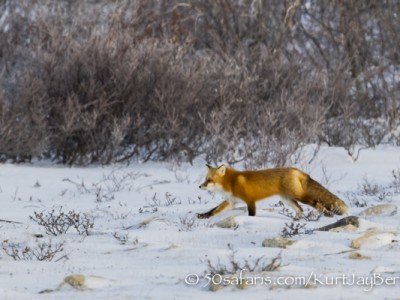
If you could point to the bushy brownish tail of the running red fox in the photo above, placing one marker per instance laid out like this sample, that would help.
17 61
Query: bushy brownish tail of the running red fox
325 198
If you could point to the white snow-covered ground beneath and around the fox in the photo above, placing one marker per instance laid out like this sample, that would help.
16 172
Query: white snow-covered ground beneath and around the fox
147 244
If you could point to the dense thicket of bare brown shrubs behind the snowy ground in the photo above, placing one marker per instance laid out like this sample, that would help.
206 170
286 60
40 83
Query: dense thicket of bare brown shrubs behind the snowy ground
103 81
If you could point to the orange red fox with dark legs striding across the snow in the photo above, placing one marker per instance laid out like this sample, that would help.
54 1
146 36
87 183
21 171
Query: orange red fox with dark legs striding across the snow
251 186
